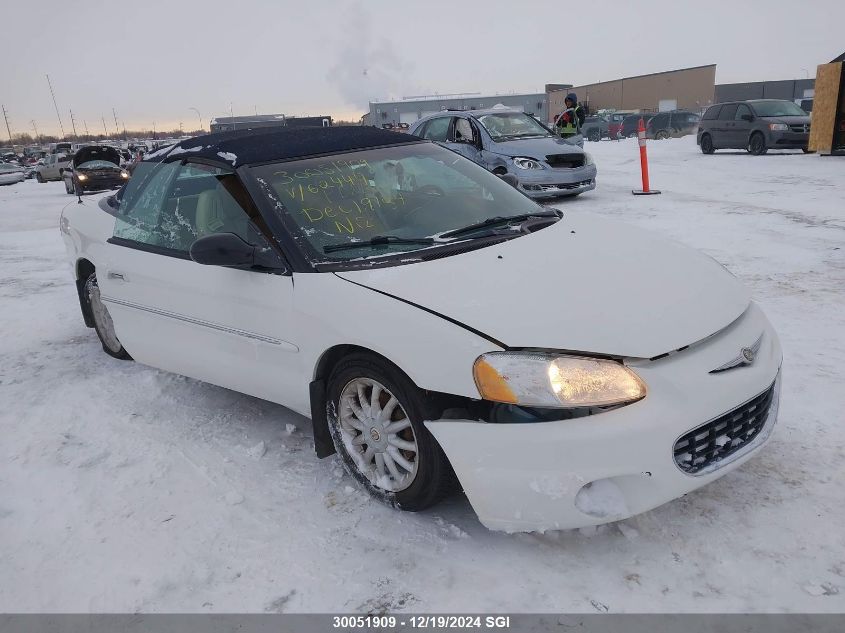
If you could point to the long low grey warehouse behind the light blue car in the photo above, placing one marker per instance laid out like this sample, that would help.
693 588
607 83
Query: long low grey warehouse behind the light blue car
407 111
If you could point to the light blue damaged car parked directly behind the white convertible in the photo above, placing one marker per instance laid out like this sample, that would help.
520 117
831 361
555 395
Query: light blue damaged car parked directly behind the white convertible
510 142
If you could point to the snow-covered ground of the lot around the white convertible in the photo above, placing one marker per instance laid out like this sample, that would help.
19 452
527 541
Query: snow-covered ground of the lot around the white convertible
124 488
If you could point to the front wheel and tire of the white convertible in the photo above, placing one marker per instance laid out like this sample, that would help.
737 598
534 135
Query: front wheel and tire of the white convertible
426 476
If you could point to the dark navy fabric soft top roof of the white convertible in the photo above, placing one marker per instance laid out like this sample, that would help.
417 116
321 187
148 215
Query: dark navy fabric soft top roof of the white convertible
249 146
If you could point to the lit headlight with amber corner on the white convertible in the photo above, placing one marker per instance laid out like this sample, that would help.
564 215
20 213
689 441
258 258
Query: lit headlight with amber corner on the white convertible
546 380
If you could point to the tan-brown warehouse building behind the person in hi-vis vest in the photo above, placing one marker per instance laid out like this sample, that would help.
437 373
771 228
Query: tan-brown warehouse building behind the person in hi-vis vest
682 89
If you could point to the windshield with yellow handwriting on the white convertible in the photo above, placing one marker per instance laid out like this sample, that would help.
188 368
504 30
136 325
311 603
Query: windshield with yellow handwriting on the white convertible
404 192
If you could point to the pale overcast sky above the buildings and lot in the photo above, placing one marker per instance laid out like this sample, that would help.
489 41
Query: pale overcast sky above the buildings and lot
153 60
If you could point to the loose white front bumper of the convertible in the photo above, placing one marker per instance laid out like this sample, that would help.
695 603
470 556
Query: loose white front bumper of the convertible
607 467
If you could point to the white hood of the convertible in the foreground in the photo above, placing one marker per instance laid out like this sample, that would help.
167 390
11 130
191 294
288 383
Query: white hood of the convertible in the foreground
584 284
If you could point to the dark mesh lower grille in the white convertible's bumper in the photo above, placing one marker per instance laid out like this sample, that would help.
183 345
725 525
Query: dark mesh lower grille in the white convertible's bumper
714 441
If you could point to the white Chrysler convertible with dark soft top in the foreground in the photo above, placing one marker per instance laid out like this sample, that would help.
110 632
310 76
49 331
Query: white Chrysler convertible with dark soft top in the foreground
439 328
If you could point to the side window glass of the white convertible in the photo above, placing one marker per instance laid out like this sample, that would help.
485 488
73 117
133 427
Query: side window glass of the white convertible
180 203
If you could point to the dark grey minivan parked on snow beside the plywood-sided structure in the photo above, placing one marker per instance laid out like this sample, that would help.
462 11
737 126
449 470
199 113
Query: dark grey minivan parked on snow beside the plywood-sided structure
756 126
